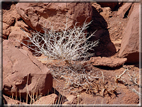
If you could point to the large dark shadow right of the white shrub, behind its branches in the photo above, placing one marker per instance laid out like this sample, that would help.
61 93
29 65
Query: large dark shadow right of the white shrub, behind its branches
105 47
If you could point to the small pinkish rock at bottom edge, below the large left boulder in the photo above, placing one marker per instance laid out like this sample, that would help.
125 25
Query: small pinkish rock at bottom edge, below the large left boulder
49 99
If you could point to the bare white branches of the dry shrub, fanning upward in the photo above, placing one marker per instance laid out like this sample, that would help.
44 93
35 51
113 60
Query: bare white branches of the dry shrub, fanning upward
68 44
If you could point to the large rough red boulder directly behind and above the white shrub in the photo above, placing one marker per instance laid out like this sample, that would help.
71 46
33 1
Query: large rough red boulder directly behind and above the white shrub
39 15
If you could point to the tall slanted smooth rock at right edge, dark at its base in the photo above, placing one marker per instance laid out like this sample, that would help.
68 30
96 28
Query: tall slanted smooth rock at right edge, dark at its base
130 41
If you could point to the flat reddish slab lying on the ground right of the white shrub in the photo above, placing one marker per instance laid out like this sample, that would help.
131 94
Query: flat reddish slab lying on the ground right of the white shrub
109 62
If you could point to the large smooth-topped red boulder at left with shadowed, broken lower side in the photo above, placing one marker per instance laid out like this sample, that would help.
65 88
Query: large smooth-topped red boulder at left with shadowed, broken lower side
23 74
